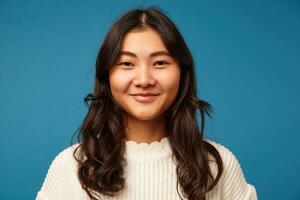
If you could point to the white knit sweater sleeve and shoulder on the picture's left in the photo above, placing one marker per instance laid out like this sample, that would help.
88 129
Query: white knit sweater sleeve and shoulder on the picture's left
60 180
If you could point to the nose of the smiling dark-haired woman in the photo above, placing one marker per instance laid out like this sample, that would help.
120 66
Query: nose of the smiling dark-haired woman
144 77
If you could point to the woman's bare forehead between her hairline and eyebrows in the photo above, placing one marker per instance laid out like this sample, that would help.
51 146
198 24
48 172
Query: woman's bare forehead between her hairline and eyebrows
143 40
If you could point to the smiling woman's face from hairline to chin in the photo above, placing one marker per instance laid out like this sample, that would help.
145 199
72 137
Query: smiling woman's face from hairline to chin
145 79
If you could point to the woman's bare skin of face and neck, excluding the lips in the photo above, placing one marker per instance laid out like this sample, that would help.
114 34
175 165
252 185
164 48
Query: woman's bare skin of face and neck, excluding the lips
158 74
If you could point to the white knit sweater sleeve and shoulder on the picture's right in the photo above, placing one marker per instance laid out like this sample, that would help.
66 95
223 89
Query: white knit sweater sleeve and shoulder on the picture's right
233 183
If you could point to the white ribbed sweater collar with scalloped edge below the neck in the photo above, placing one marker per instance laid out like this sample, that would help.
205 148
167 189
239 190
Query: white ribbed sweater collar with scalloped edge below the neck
144 152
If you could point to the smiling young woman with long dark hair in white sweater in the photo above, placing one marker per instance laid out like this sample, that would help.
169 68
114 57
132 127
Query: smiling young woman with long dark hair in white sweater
140 138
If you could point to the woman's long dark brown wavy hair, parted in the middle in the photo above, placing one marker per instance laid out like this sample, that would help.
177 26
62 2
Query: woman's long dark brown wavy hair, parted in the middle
101 136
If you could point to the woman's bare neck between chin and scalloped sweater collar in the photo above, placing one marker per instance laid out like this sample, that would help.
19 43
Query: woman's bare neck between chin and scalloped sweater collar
146 131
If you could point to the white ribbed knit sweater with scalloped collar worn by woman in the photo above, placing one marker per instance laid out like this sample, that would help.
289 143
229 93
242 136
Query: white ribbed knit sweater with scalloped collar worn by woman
150 175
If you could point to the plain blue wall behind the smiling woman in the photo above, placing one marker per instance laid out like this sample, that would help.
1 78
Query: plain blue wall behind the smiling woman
247 58
